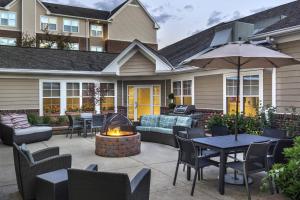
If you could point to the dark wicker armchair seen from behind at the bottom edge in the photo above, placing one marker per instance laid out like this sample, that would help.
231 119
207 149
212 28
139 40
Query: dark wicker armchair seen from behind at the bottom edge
93 185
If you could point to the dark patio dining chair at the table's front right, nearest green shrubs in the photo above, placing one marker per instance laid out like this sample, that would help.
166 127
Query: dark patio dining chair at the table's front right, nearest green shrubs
256 161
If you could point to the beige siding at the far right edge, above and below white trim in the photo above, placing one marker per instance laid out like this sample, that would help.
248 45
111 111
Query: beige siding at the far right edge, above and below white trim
288 79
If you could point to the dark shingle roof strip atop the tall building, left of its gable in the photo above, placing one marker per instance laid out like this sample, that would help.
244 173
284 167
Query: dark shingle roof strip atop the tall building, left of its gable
77 11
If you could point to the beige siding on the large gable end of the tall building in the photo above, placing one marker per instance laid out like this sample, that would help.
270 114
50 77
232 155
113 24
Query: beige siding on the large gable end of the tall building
130 24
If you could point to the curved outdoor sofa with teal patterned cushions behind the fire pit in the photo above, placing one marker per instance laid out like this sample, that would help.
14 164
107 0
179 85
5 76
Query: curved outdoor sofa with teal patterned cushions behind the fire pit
163 128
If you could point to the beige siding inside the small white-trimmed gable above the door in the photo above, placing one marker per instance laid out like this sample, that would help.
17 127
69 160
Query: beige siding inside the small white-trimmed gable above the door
138 65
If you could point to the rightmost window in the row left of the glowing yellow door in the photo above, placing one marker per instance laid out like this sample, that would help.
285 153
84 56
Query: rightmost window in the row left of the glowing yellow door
108 91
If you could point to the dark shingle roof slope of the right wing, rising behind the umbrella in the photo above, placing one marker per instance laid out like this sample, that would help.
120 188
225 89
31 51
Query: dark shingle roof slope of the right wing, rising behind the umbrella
188 47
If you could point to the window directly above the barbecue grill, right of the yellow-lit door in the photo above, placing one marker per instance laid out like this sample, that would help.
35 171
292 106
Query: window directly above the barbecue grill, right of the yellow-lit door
182 92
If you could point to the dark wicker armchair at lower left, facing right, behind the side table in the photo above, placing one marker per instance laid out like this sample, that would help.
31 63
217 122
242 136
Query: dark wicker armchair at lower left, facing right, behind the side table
46 160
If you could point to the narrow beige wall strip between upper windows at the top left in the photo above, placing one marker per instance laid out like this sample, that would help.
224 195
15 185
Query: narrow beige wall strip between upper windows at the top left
28 25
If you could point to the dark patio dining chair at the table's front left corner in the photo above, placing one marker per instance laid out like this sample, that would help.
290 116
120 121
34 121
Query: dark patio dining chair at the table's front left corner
189 156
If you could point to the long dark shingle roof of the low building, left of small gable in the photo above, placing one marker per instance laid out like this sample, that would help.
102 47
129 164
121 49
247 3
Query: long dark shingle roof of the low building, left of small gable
51 59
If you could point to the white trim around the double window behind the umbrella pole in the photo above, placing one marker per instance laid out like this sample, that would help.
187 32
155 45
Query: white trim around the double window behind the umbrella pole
247 73
